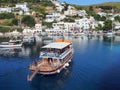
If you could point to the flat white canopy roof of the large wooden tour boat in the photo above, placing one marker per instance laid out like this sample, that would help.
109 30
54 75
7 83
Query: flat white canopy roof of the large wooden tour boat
57 45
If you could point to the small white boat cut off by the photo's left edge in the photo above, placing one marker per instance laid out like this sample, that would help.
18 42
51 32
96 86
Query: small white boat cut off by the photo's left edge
11 44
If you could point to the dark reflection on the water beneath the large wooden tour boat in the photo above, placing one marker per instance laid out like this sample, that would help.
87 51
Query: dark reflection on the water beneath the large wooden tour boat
54 82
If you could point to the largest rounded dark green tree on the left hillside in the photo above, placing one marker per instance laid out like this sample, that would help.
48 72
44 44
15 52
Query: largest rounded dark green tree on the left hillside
28 21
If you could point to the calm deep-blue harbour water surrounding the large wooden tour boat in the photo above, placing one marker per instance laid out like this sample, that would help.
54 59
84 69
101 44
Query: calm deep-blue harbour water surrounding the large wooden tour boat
95 66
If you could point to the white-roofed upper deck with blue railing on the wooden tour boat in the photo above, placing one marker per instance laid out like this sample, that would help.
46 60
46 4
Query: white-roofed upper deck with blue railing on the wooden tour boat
55 49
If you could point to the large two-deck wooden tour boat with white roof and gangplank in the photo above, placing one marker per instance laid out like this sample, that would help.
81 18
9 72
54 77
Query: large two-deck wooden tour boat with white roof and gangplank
54 57
